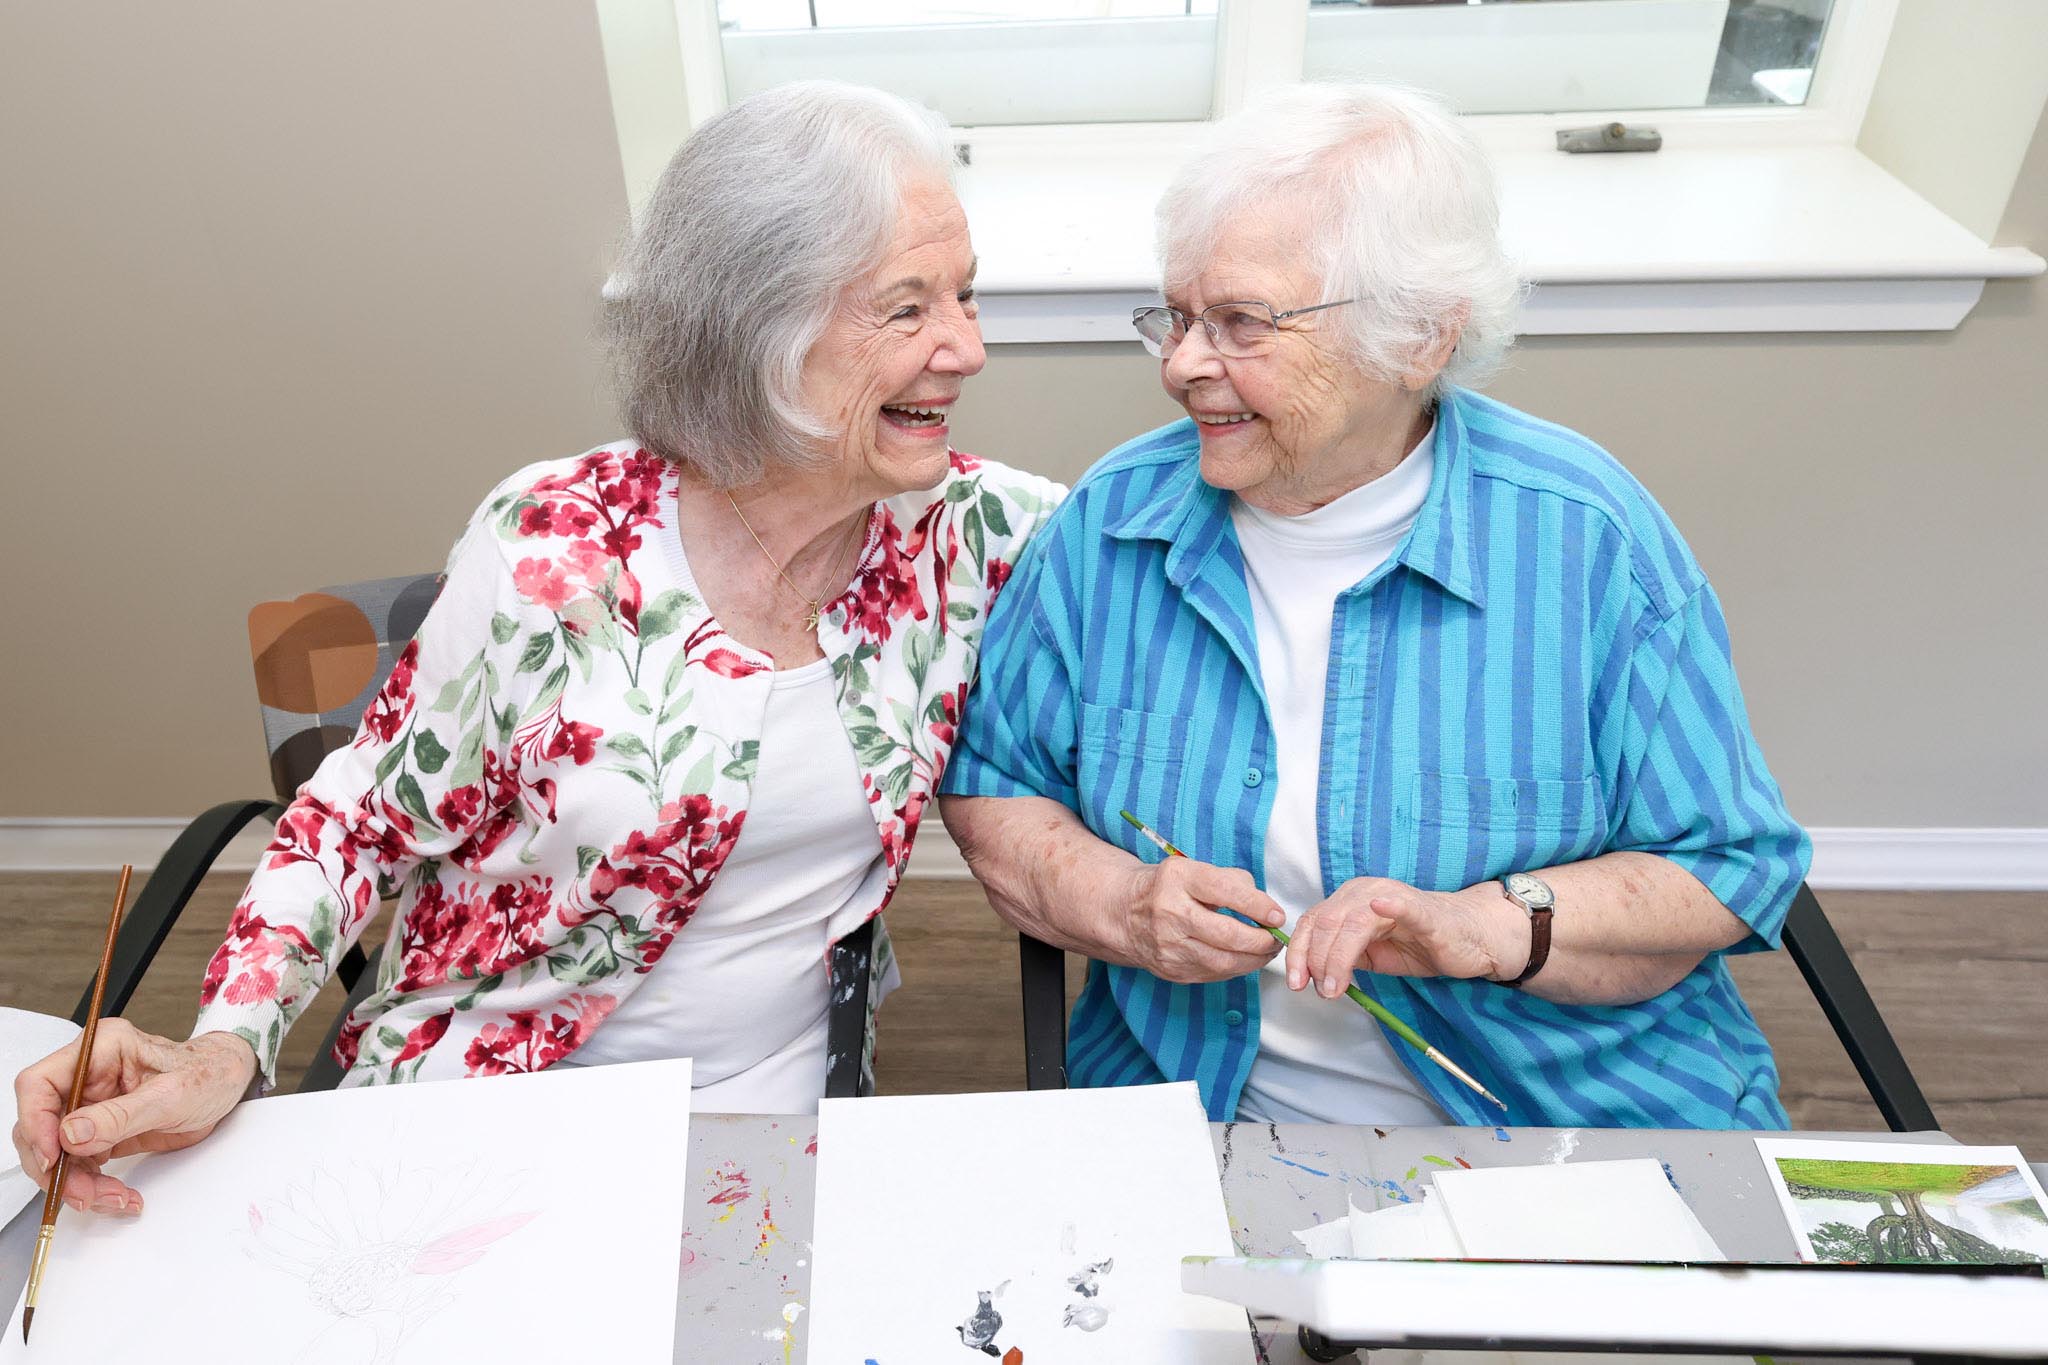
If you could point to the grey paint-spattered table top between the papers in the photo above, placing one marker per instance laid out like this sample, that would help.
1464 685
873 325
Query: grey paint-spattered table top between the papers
744 1276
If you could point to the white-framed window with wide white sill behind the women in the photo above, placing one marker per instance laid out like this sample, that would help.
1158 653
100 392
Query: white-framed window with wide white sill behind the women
1758 216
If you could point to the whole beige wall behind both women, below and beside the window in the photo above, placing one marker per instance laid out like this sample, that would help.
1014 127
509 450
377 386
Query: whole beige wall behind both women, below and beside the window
341 269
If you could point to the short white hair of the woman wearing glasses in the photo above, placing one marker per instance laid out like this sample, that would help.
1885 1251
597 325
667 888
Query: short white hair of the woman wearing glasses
1404 220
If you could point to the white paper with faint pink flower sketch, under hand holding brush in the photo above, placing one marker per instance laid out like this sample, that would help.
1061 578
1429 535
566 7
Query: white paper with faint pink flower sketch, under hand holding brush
511 1219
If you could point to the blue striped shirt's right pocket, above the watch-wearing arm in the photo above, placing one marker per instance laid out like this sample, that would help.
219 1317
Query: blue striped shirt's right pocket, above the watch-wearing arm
1463 830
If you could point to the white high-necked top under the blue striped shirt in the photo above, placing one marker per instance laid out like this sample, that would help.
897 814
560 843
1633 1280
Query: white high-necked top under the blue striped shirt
1320 1061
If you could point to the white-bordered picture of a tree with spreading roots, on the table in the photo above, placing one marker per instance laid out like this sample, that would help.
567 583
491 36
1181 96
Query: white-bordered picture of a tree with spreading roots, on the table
1889 1202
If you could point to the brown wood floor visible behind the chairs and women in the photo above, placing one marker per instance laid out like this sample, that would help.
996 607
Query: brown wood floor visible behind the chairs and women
1963 981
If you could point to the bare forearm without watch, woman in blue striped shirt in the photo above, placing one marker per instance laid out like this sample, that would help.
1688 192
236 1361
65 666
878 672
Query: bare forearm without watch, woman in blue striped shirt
1046 873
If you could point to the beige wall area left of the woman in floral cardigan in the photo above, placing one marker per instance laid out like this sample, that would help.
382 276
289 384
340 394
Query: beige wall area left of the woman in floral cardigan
284 292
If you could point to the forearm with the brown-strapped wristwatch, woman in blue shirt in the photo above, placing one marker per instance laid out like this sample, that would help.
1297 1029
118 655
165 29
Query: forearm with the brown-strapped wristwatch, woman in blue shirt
1627 928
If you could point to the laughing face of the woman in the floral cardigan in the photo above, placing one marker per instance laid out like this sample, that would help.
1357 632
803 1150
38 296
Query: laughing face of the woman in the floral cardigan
896 353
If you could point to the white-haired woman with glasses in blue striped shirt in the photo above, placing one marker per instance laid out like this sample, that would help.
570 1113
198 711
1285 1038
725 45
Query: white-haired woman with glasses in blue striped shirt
1404 670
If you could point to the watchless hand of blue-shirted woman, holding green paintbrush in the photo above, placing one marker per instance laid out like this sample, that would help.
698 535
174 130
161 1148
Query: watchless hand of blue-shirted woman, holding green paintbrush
1179 930
